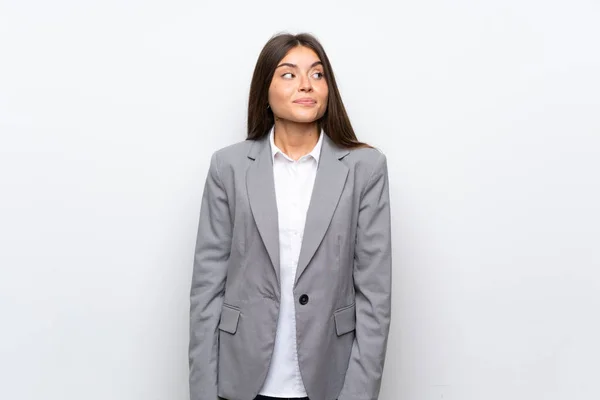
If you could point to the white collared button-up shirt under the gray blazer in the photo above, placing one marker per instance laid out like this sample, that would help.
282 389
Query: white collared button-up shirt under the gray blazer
294 181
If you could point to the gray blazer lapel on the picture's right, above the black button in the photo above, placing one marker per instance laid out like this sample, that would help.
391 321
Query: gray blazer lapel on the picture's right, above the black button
329 183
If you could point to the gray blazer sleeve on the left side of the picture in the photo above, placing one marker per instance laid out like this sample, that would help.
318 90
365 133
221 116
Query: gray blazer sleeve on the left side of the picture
213 245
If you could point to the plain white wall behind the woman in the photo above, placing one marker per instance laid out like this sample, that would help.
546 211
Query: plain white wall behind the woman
489 113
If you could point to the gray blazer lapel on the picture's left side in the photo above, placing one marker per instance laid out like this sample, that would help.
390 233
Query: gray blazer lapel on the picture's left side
260 185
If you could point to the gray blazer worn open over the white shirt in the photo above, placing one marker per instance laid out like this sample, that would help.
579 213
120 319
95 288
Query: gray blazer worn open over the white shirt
343 279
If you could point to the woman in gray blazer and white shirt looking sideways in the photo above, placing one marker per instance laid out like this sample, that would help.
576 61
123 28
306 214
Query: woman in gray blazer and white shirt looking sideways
291 284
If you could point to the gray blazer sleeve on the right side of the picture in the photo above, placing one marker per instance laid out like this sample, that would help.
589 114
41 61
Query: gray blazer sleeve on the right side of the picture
372 282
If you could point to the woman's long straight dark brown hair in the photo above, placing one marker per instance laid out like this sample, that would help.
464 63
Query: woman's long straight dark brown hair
335 121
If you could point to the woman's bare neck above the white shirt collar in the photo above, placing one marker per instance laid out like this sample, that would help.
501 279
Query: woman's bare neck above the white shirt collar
296 139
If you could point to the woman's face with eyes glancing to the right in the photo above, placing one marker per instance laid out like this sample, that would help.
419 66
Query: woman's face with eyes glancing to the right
298 91
